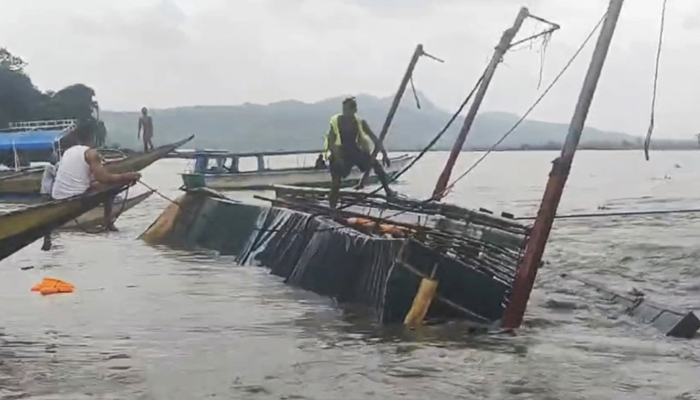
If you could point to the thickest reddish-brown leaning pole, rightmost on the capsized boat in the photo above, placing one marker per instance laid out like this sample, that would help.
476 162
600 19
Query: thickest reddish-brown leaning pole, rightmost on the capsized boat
527 272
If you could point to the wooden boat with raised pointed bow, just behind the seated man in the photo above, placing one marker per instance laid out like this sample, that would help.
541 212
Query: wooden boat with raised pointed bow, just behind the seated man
29 183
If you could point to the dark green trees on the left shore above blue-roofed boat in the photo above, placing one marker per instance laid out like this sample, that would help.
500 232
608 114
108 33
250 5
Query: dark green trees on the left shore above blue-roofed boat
21 101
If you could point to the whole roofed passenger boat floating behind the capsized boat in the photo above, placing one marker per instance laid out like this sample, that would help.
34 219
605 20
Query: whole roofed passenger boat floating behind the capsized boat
220 177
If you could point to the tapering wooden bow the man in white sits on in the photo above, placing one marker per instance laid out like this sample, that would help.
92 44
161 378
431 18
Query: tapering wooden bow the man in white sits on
21 227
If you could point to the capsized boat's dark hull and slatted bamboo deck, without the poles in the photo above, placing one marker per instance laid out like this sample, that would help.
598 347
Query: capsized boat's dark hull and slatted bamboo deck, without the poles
359 258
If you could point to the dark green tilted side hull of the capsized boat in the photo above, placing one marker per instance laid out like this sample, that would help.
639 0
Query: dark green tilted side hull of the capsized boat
324 256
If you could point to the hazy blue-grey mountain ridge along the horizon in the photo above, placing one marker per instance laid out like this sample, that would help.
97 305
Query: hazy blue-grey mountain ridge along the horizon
294 125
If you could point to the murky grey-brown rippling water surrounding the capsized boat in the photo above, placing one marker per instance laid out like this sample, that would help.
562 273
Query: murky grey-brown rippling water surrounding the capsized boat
151 323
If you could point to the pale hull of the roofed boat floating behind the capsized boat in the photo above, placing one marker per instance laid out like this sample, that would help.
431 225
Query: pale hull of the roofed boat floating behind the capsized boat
294 177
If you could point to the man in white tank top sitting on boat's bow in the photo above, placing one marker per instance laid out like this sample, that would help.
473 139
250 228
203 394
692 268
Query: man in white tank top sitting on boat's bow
81 170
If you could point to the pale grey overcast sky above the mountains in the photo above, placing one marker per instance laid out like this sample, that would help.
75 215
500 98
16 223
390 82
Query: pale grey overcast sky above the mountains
166 53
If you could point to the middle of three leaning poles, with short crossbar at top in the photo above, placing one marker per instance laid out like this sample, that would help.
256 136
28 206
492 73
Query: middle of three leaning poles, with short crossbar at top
501 49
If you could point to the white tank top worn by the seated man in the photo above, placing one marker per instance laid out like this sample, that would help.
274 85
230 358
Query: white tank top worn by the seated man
73 176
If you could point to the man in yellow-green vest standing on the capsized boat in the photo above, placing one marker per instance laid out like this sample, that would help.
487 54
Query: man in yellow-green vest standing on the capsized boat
348 141
